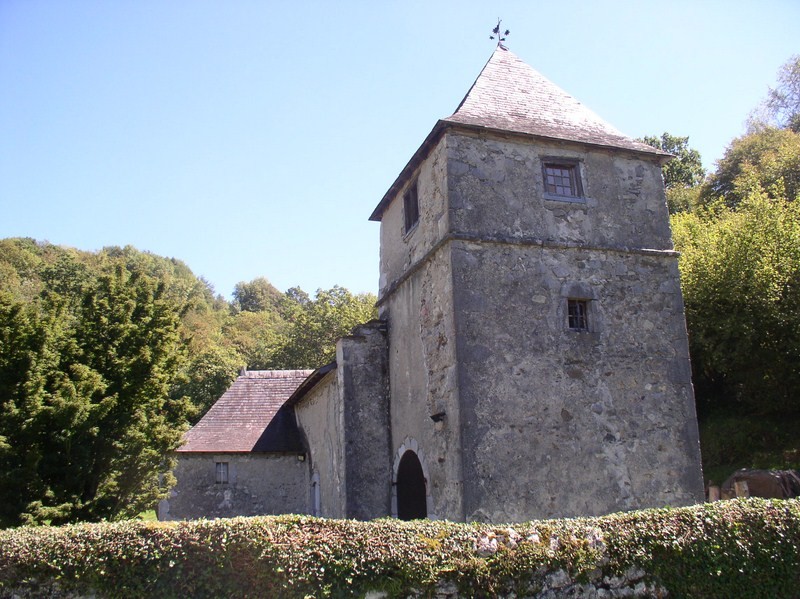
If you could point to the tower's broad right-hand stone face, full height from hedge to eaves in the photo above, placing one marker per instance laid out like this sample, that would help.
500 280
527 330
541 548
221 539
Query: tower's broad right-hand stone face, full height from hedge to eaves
557 422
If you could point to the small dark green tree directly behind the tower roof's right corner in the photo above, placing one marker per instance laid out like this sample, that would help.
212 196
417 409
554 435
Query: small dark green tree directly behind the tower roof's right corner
683 174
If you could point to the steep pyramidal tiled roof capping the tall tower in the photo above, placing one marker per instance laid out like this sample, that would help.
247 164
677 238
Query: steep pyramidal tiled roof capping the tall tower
511 96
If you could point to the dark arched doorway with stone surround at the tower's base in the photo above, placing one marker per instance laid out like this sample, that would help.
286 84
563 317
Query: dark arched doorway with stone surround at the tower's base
410 483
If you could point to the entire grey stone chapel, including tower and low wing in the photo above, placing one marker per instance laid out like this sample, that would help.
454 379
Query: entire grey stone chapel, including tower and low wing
530 359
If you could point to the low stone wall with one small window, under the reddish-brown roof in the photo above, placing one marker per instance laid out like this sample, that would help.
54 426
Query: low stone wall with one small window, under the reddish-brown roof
258 484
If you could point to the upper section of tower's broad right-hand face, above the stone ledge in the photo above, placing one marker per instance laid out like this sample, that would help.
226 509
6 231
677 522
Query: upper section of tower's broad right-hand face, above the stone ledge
496 191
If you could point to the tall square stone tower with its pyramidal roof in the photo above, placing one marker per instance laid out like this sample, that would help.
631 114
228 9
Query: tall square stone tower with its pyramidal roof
538 357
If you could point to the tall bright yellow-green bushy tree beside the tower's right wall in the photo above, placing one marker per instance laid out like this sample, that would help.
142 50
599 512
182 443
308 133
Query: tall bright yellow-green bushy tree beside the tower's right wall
740 275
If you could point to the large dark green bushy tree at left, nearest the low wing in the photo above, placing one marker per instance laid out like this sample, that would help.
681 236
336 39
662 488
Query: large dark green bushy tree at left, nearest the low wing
86 413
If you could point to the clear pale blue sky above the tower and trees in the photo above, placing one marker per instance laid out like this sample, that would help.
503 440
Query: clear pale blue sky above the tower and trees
254 138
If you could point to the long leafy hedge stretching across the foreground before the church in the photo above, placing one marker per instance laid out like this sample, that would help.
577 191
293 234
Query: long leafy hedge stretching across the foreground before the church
738 548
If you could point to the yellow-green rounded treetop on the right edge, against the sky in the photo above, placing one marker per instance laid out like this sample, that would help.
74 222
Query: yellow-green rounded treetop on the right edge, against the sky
766 161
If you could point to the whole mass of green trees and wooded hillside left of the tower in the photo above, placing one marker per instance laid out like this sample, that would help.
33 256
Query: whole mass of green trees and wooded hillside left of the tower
105 357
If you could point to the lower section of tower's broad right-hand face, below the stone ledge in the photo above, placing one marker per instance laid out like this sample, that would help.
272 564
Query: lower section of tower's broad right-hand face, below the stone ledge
558 422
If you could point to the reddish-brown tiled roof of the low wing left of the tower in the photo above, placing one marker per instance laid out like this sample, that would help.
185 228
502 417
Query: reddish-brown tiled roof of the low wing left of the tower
251 416
